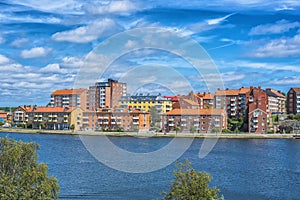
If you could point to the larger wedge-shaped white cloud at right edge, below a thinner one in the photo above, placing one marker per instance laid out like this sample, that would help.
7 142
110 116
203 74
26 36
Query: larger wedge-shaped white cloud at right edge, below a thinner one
279 48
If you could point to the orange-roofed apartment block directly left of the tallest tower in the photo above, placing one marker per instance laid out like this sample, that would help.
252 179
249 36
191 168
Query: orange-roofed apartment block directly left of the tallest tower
69 98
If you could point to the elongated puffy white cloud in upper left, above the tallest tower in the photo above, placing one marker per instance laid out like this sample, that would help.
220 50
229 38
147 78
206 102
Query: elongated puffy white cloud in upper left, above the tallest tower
88 33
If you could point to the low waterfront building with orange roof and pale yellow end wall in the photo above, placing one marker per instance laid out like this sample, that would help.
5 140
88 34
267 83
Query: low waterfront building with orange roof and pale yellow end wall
55 118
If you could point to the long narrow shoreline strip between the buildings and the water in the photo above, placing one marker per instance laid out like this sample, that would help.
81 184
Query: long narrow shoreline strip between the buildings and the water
148 135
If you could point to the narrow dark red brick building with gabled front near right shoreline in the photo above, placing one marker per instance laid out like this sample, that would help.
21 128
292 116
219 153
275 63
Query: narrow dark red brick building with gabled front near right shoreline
257 100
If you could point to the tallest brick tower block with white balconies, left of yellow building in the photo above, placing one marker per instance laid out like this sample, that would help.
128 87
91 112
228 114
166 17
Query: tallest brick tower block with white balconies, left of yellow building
106 94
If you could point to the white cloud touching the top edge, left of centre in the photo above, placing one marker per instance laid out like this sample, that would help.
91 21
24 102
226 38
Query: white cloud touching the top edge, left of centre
116 6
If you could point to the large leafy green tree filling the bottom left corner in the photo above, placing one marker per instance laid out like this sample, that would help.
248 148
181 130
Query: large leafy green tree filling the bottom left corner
21 176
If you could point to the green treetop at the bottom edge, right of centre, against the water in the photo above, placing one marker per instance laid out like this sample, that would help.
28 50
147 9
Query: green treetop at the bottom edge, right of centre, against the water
190 184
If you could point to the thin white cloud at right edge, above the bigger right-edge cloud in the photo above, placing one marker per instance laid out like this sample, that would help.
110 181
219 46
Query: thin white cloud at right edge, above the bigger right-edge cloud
281 26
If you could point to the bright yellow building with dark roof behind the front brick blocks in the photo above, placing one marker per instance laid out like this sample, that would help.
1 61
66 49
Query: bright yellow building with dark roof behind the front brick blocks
145 102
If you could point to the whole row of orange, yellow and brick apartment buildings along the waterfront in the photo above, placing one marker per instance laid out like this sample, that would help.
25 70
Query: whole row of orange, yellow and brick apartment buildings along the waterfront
107 106
